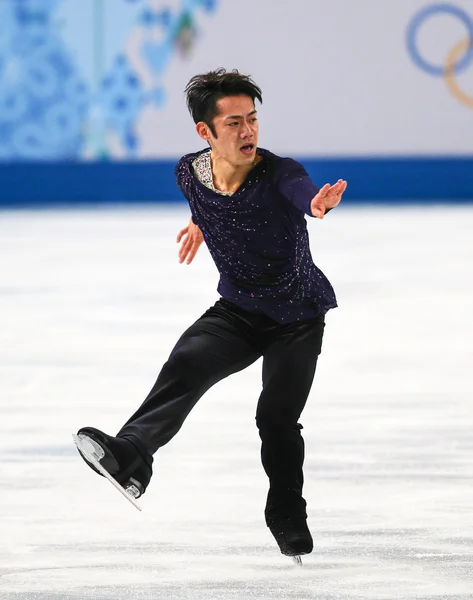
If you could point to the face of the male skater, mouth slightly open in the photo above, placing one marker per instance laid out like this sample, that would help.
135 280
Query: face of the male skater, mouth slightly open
236 131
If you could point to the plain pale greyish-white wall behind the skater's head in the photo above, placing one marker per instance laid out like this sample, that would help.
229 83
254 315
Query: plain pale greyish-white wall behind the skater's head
336 75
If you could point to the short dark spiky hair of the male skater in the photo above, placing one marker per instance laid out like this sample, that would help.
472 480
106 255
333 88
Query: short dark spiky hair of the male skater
205 90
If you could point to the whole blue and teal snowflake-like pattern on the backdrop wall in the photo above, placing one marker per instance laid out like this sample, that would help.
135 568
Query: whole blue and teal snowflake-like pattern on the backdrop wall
49 108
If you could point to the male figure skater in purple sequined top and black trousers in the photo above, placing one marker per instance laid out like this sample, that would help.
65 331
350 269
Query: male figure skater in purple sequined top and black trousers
249 207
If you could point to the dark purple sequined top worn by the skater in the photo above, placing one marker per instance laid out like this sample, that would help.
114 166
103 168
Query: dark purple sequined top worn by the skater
258 238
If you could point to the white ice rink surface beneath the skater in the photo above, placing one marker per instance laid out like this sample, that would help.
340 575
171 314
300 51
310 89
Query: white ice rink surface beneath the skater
91 303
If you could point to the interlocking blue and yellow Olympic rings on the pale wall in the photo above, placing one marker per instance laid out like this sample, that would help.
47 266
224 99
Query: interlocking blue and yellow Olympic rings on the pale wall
459 57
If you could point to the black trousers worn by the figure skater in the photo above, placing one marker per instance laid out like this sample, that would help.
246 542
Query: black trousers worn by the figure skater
225 340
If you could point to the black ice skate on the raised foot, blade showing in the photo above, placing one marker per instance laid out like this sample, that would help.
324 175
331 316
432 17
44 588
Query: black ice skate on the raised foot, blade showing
102 452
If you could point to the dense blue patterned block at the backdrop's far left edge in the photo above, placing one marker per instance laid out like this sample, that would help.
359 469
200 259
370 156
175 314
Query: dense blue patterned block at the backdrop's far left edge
43 100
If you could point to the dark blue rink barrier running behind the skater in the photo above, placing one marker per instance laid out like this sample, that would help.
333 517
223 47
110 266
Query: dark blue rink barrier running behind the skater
370 179
